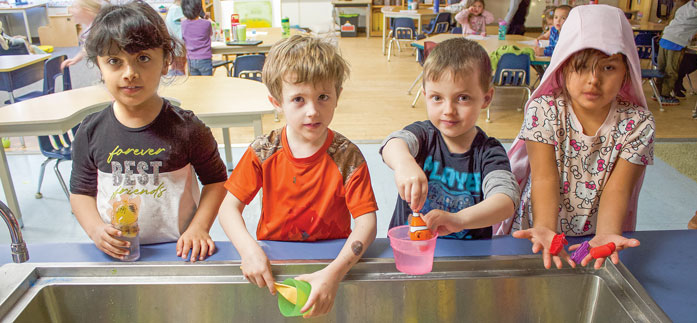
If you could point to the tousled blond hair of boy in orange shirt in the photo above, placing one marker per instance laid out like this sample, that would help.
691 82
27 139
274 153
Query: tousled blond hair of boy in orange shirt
305 59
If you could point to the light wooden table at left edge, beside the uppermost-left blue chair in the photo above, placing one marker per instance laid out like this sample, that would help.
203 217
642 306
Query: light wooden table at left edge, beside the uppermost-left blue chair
17 71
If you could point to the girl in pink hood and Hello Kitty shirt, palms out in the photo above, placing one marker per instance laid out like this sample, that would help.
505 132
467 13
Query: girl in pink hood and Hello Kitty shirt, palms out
587 135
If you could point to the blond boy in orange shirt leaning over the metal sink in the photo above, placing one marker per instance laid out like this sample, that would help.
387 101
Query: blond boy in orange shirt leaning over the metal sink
314 180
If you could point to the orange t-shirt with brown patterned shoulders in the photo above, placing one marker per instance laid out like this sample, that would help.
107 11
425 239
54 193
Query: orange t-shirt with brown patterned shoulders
304 199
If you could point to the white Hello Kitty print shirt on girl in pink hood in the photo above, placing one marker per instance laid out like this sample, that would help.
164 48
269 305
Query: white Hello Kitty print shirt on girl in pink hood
584 162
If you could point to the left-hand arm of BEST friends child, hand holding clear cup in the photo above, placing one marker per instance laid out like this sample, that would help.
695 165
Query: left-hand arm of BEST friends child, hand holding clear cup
102 234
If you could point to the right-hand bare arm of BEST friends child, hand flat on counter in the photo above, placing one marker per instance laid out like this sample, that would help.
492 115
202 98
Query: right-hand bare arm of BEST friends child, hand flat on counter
196 236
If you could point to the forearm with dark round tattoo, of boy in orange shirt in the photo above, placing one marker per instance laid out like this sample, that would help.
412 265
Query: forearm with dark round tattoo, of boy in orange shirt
357 242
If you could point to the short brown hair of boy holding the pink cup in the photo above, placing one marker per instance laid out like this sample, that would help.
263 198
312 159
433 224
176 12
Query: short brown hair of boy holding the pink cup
459 56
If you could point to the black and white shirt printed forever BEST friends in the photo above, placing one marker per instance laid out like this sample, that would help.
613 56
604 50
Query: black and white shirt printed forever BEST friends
153 165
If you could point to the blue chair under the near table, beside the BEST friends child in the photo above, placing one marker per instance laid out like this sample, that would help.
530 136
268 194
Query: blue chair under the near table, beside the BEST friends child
56 147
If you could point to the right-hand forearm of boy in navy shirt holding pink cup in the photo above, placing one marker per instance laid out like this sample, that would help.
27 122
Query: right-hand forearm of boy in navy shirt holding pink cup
492 210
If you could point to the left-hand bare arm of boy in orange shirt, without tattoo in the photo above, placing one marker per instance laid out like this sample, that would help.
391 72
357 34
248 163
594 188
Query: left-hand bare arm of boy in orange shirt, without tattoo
256 267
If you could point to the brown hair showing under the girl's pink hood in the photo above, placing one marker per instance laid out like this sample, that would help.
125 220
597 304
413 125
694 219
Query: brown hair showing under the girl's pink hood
583 61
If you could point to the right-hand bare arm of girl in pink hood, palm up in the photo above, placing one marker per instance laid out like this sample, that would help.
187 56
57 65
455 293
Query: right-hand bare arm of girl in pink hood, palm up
613 209
